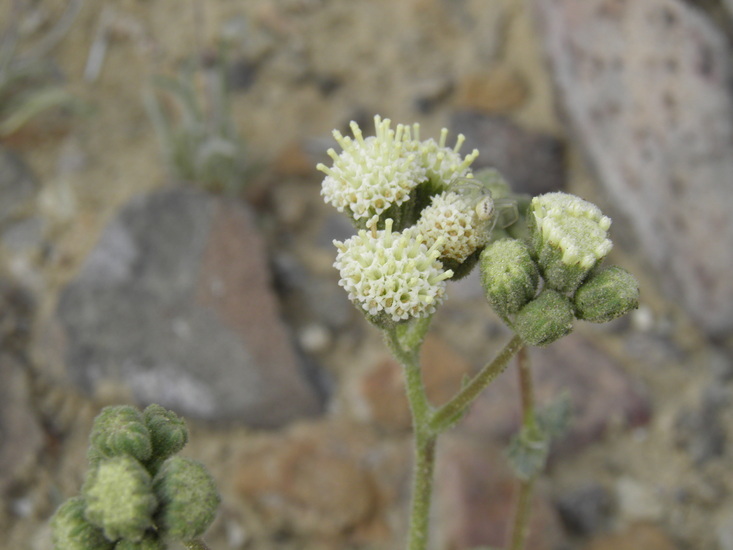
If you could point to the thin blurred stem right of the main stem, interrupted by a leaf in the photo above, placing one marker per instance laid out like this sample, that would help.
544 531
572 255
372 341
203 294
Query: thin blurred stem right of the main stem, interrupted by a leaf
520 526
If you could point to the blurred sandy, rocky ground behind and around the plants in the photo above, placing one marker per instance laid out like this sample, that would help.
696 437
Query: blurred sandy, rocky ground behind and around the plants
119 282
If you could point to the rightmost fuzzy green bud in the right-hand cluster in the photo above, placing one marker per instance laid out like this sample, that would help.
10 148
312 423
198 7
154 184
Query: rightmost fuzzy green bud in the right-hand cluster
606 295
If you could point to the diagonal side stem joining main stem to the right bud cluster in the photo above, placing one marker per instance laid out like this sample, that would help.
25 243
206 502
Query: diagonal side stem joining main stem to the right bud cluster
451 412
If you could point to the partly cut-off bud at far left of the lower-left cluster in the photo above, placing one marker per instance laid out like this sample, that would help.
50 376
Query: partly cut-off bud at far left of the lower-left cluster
71 531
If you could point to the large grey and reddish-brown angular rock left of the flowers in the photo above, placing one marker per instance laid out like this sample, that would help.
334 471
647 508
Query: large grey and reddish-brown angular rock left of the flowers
175 303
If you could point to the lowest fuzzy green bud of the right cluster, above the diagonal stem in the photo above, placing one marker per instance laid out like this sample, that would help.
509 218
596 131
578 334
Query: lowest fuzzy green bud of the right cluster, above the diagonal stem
545 319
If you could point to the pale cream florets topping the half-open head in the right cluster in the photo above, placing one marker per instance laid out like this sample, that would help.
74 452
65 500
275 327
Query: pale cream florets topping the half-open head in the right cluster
576 227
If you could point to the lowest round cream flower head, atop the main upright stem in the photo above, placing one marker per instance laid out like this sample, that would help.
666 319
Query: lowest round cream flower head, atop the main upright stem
392 273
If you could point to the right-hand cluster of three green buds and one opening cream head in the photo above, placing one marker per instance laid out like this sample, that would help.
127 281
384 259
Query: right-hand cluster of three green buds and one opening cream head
540 284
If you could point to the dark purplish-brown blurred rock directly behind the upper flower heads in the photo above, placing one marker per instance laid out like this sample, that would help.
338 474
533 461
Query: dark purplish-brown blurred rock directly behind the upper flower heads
532 162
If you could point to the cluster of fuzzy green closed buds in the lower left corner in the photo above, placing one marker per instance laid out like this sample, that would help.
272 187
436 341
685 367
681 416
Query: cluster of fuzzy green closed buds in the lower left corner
137 494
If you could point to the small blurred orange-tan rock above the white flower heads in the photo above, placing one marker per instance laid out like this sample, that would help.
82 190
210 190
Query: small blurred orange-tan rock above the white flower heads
496 91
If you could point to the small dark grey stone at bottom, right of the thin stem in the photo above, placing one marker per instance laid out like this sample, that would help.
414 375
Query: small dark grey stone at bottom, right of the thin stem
585 510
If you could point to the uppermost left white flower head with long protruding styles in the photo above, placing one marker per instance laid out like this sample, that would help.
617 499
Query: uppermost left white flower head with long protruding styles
371 174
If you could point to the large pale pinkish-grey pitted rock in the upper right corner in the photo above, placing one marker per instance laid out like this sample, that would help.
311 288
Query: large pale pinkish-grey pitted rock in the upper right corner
646 88
